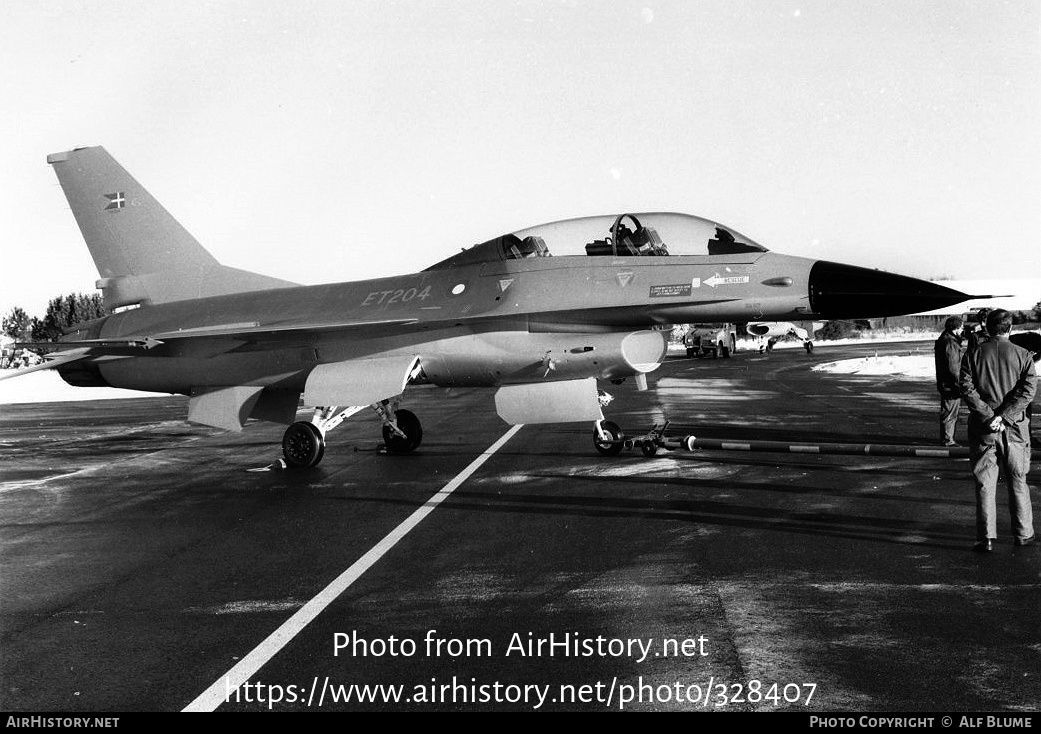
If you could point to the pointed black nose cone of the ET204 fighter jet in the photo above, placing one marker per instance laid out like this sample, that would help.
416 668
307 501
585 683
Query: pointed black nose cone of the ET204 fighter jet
848 292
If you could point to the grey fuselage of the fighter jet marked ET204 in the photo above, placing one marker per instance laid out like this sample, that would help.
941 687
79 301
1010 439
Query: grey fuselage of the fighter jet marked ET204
485 324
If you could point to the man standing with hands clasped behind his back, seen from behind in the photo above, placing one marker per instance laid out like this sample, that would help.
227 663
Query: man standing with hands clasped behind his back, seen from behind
999 382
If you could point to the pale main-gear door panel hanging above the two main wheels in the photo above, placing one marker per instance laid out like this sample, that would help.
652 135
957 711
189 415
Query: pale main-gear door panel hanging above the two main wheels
359 382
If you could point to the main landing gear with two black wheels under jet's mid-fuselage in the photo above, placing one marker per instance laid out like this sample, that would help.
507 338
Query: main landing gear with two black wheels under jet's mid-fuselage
304 442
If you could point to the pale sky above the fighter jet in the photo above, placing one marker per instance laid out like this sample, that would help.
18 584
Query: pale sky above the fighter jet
333 141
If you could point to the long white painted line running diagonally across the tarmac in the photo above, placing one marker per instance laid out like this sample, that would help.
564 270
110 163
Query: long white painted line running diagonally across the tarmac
247 668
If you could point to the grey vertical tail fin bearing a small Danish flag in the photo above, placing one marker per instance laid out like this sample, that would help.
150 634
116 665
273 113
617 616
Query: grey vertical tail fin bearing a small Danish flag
143 255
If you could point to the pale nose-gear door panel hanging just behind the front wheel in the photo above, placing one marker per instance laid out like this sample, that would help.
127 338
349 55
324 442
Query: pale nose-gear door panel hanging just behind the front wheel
569 401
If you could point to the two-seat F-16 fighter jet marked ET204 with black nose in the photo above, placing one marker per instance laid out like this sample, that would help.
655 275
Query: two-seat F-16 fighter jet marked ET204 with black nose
540 314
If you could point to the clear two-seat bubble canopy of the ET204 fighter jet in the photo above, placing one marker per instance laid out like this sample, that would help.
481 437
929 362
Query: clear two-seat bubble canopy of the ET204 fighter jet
641 235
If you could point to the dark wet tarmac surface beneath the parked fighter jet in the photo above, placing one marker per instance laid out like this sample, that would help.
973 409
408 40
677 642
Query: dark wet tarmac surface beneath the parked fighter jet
142 562
